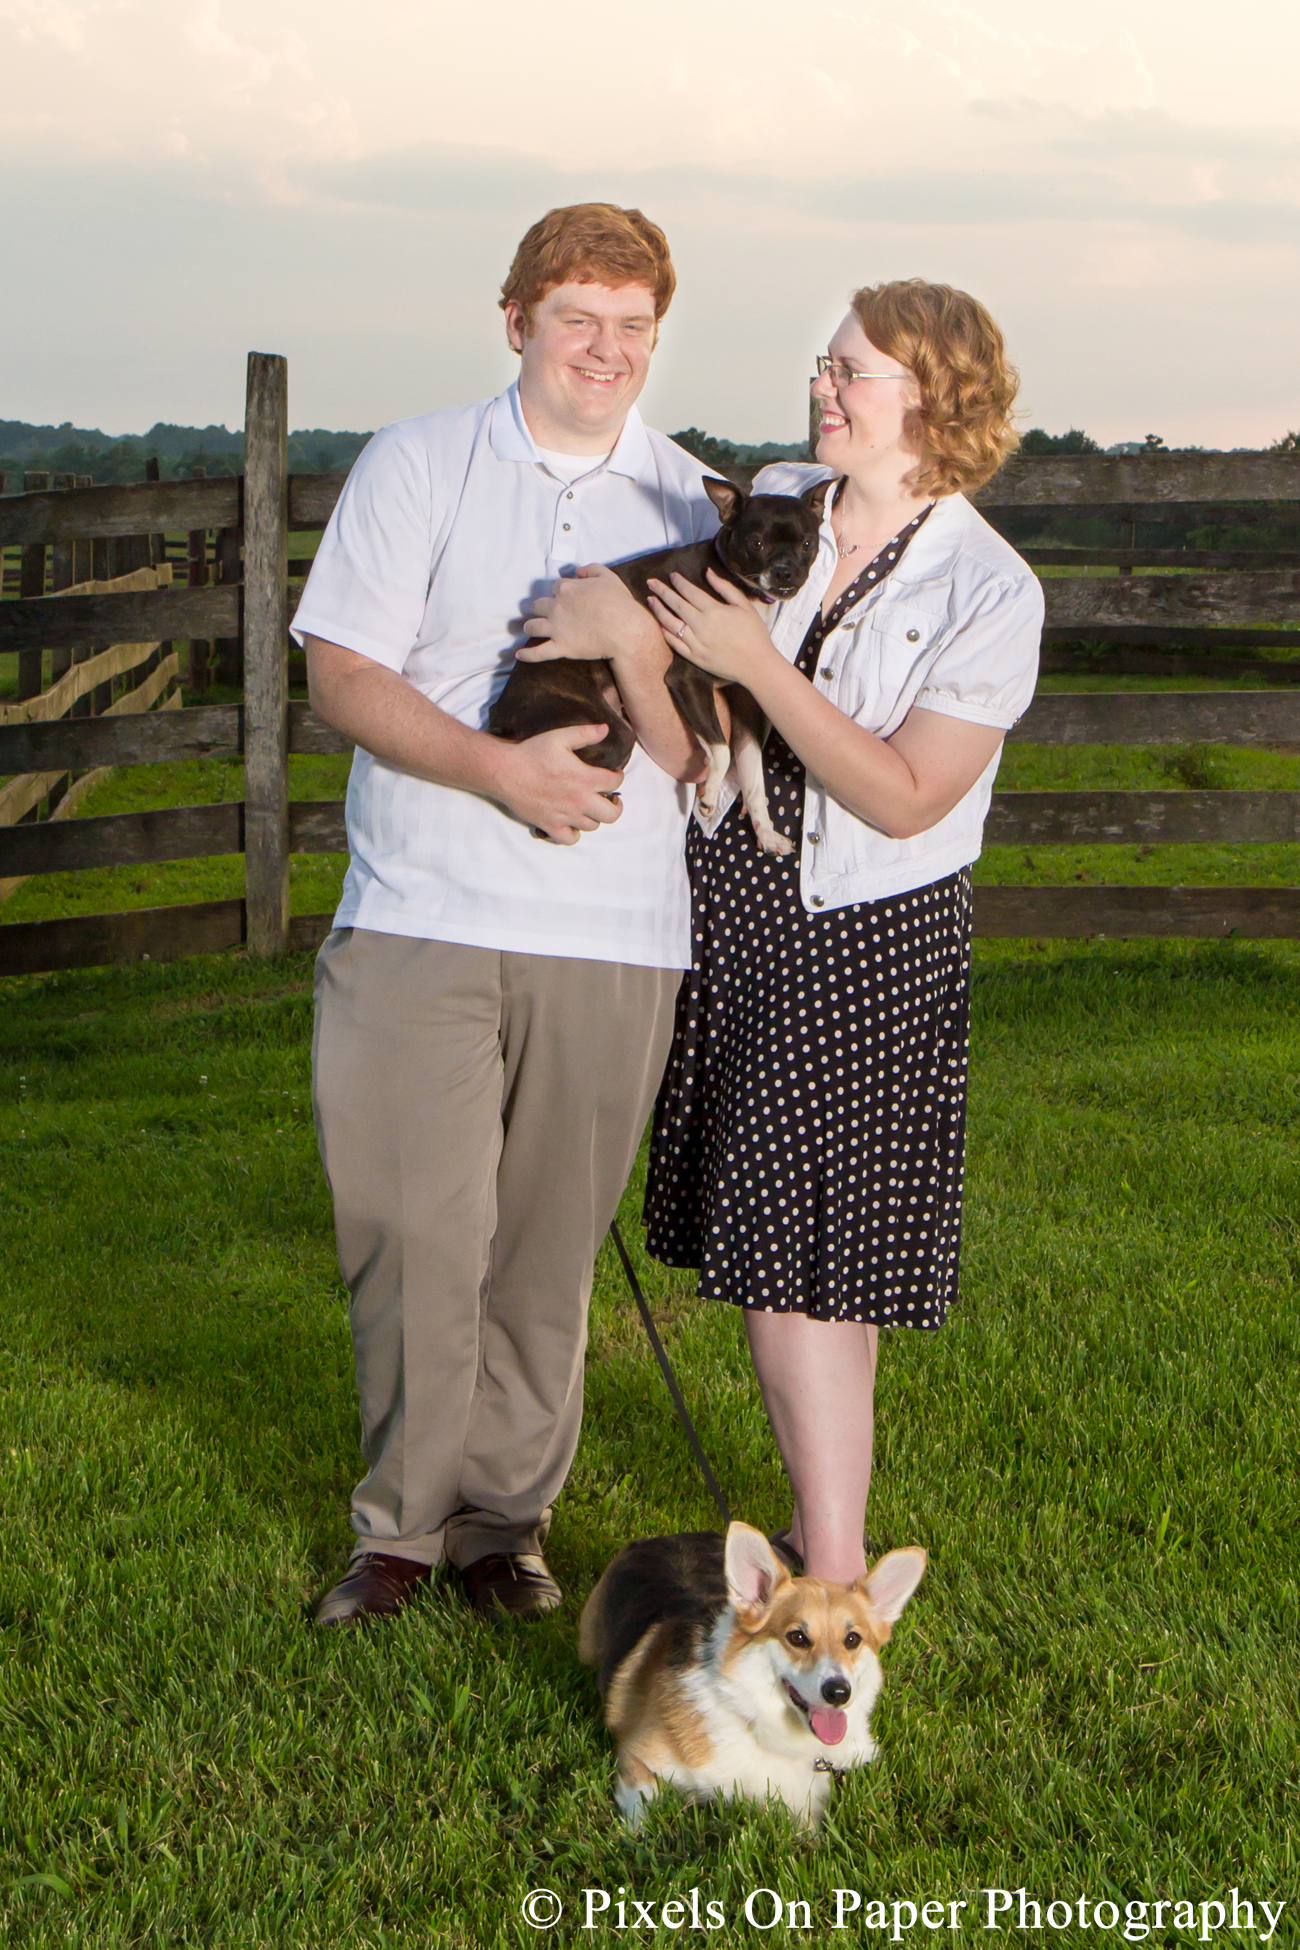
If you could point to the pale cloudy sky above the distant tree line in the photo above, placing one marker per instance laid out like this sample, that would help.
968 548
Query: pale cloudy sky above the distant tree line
188 180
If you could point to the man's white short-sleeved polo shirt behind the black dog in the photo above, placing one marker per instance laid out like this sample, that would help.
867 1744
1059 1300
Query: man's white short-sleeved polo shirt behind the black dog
443 533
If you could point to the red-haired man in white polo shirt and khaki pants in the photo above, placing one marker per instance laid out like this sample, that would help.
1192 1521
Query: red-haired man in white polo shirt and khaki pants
492 1011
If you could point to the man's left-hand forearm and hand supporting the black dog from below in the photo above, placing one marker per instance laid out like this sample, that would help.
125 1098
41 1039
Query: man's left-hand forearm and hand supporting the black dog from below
541 781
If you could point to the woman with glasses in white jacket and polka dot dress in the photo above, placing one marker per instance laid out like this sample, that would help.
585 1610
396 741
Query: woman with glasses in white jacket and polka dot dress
810 1134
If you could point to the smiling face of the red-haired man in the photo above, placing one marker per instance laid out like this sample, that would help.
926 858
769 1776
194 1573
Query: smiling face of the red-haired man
584 362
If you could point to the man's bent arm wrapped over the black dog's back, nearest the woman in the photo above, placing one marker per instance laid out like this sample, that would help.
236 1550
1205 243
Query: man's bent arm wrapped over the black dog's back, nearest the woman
595 615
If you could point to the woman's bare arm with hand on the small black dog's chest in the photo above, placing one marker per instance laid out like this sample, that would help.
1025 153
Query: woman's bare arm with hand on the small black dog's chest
901 785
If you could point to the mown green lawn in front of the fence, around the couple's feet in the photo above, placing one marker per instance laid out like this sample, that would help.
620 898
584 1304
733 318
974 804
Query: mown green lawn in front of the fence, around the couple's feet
1092 1694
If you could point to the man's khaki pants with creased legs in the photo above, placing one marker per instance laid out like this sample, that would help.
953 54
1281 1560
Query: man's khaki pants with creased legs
478 1116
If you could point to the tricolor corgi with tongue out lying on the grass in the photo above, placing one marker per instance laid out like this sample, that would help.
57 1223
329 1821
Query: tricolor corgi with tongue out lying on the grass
724 1676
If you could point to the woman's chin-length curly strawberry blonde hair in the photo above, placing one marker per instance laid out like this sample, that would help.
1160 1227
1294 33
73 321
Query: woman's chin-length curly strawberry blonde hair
968 385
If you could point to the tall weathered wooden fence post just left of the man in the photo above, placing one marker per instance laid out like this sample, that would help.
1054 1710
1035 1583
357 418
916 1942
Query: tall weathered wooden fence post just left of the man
266 654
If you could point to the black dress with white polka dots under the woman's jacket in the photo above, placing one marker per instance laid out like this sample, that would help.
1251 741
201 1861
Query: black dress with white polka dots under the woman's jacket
810 1134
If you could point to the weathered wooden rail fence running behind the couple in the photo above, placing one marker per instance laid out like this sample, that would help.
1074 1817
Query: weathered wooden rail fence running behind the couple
1139 619
